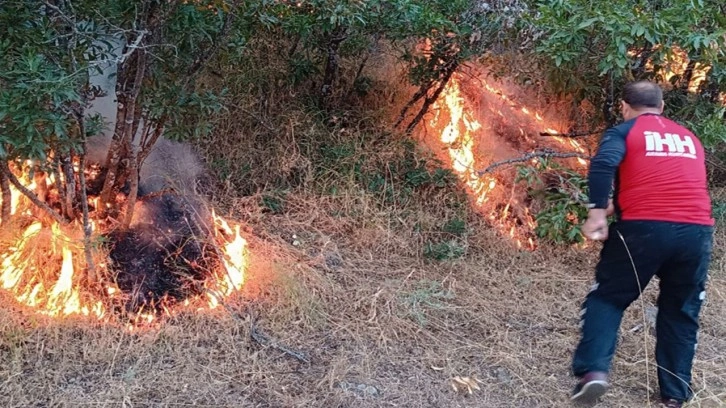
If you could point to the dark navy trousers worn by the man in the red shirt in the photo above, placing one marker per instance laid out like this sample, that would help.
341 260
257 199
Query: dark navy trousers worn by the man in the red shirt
679 254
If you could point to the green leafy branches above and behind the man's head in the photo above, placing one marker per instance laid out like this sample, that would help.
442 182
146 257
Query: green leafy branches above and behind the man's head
590 50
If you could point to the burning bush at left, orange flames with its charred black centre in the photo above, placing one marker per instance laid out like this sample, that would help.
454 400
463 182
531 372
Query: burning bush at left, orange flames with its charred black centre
175 251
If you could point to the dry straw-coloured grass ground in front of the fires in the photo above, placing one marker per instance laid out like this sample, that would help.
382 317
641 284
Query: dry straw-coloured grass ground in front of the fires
381 326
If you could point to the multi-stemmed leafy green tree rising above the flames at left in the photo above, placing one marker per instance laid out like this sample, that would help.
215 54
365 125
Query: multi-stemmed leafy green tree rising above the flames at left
49 53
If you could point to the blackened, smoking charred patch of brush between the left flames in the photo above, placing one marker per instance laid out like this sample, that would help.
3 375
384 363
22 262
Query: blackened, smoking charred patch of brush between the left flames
165 256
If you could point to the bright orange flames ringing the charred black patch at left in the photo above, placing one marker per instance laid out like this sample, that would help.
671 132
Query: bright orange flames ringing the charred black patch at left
44 268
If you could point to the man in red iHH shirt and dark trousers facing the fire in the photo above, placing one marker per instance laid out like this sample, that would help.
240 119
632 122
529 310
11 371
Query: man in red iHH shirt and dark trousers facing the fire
664 227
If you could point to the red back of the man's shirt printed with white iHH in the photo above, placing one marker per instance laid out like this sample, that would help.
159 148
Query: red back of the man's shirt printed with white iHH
663 174
